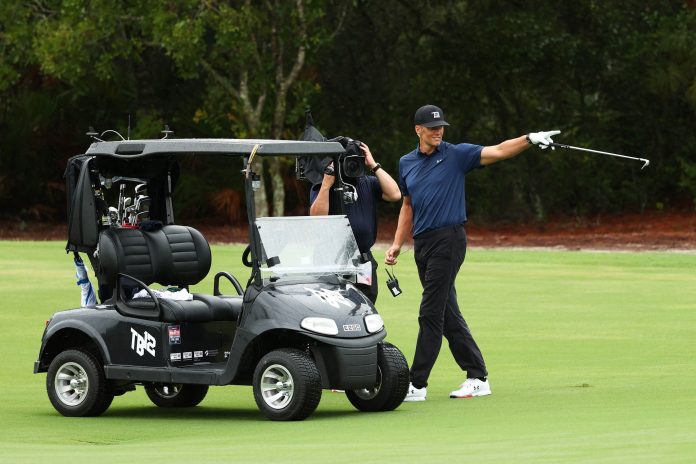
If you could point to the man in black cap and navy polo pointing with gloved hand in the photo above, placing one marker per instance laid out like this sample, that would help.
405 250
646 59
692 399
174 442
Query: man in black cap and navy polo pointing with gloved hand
432 181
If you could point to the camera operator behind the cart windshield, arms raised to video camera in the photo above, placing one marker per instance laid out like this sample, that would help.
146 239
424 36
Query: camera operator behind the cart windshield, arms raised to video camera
361 212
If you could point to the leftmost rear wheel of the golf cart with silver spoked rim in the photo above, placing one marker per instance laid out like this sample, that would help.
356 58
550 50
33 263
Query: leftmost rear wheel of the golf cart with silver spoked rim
76 384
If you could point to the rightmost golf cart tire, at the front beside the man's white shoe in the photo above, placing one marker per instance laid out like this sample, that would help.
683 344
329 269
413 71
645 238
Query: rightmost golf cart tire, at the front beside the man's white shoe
393 382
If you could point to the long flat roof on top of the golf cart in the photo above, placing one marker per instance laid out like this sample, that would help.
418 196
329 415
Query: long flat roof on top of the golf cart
229 147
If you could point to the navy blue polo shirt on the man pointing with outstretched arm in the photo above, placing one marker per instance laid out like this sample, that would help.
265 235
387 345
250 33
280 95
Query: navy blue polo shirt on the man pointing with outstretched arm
436 184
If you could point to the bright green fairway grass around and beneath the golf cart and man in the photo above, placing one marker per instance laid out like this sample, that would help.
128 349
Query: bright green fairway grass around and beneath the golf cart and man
592 358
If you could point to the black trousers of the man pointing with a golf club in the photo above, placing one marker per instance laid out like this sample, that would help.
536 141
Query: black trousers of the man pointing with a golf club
439 255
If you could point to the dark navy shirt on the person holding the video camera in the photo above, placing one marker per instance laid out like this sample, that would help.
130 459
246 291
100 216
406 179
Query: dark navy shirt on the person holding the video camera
362 214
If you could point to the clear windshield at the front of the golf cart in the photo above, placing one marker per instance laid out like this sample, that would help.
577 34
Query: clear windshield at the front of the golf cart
316 245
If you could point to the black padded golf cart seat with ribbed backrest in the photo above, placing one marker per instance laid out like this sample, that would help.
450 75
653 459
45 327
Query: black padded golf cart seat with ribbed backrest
173 256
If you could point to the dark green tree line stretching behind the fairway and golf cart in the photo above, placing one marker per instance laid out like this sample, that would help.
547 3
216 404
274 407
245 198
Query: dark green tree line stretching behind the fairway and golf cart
613 76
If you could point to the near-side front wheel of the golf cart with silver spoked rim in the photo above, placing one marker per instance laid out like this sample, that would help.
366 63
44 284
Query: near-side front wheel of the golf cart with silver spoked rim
287 385
